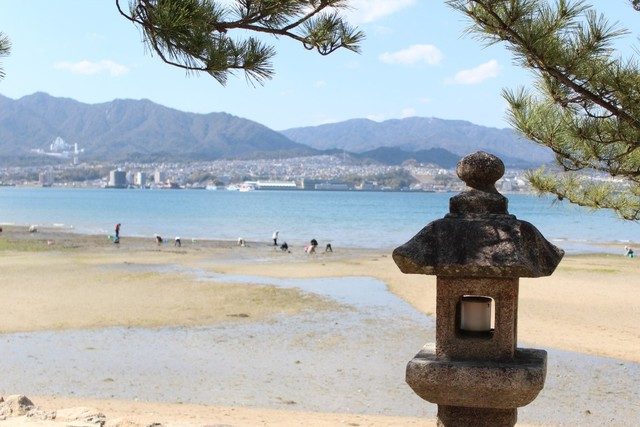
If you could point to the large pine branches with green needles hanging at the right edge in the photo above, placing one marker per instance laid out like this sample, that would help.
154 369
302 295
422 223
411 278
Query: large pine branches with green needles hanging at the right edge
586 102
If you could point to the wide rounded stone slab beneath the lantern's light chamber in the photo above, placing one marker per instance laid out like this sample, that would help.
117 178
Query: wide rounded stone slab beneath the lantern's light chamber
478 383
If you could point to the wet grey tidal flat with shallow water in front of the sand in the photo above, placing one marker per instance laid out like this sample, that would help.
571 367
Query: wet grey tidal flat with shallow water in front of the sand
347 360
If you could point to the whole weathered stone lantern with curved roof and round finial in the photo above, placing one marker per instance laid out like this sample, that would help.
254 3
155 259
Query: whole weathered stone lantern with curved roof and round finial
476 374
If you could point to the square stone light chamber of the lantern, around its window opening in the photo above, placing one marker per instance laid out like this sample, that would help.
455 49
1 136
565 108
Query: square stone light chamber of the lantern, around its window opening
499 344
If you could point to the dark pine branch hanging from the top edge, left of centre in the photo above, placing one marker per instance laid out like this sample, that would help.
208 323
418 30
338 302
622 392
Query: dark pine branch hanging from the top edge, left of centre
196 35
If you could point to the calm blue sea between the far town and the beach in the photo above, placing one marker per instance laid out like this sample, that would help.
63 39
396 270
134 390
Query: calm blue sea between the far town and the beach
354 219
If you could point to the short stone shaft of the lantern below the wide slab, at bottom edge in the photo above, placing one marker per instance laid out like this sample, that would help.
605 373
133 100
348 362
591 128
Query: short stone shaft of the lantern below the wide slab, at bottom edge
458 416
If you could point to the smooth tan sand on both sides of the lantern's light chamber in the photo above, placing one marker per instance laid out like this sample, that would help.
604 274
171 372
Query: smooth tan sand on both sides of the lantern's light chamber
584 306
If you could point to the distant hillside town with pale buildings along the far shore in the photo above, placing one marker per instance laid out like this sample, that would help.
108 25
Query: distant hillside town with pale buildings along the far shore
316 173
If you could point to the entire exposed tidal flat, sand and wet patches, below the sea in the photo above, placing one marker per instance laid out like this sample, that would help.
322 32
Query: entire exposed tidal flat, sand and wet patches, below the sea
215 324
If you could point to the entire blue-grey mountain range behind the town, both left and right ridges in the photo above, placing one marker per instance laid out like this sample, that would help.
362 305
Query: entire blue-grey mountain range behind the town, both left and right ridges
140 130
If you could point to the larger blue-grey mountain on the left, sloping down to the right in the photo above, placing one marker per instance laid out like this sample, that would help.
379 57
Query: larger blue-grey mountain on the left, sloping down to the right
135 130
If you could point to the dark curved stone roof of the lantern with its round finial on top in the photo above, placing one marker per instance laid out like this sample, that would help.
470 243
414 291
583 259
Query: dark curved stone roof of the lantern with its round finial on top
478 238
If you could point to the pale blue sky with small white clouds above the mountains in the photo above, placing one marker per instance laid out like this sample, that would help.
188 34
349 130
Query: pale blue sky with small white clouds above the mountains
415 62
